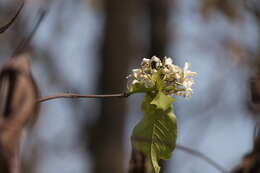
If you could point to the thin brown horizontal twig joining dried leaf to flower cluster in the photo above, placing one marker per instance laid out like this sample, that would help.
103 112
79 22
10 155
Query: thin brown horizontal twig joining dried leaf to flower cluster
77 96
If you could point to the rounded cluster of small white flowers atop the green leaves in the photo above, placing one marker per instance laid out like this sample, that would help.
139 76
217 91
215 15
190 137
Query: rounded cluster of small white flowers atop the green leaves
157 74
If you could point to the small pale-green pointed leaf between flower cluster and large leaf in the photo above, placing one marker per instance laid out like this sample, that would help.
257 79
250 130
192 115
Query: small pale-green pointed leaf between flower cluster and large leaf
162 101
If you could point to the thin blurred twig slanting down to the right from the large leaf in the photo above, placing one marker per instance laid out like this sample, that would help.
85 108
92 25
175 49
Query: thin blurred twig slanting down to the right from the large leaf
201 156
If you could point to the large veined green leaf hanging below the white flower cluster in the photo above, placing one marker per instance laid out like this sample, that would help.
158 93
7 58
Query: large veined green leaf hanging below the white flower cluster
155 135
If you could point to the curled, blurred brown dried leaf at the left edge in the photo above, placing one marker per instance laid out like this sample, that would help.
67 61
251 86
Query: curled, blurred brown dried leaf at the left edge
18 106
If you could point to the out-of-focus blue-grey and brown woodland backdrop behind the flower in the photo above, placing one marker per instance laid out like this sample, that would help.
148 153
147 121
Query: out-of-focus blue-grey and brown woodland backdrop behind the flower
90 46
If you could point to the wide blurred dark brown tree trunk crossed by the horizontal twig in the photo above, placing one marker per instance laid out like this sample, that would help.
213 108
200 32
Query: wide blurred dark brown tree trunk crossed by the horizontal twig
106 138
